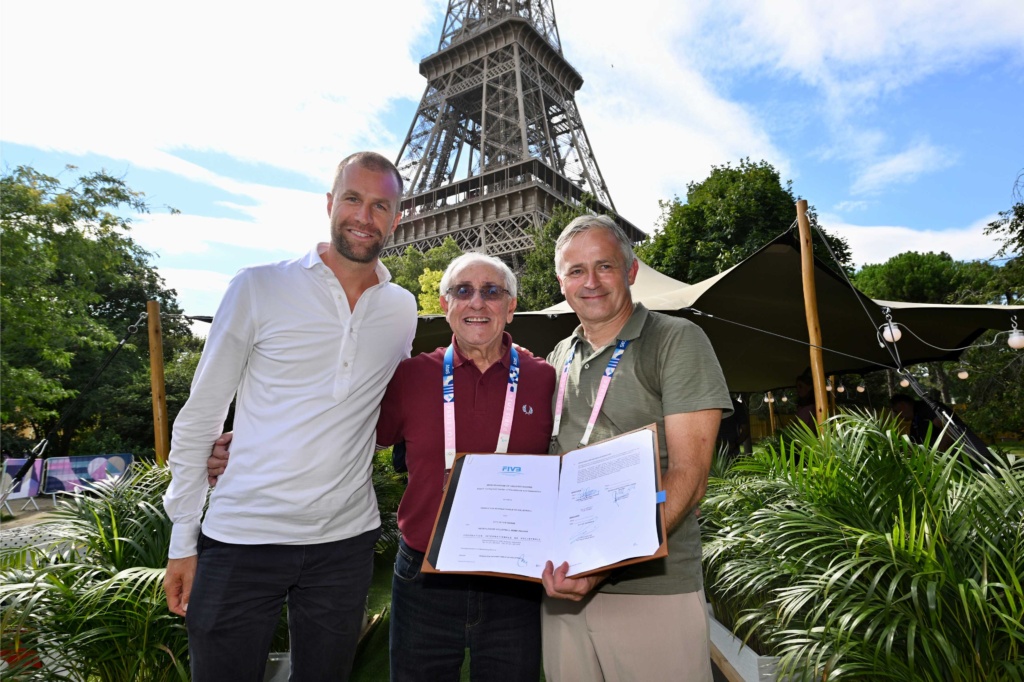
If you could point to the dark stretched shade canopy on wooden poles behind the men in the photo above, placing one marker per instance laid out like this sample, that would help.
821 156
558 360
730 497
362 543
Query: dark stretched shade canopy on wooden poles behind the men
754 316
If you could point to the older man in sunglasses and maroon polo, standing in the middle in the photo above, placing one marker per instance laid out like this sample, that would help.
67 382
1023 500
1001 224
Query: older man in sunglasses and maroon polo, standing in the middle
436 618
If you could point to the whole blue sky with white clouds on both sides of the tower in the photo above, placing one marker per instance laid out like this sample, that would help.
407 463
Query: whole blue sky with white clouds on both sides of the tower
899 122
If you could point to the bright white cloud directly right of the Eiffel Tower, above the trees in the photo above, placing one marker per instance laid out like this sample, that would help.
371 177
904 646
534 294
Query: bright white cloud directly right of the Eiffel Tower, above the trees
654 120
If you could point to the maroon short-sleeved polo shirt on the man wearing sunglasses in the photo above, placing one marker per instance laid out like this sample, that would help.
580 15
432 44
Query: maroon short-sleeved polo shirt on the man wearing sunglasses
412 411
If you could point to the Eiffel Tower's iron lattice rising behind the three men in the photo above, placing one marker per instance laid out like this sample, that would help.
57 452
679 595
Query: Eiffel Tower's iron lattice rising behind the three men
497 143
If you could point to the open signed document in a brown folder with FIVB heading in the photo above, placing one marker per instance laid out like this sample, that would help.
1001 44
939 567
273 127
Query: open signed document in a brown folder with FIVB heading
594 507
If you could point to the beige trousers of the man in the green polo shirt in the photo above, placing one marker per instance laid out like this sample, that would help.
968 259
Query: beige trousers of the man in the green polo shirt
627 637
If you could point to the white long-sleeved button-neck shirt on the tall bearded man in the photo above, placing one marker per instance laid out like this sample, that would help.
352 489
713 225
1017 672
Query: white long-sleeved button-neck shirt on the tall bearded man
310 375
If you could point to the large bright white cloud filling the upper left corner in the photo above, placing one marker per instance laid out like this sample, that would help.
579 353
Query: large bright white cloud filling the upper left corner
293 87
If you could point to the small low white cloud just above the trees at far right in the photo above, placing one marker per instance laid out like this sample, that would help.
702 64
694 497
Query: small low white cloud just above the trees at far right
877 244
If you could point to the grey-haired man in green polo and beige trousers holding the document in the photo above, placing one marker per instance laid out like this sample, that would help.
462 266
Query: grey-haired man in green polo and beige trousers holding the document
648 621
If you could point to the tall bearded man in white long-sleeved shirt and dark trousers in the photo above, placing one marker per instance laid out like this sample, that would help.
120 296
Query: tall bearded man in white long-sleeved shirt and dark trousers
308 347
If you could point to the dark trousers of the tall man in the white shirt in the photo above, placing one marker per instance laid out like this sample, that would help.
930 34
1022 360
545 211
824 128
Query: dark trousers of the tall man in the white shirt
237 599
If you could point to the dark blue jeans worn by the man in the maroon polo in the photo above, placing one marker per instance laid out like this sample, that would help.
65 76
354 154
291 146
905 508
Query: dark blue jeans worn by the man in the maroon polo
435 619
